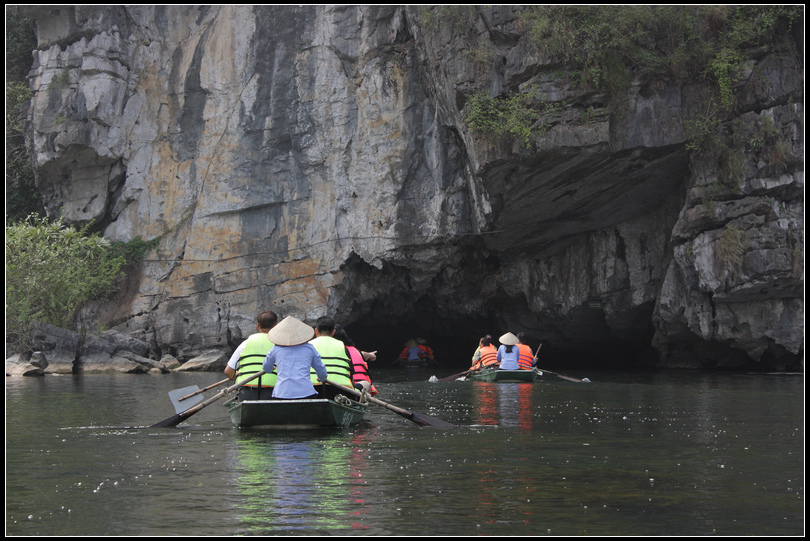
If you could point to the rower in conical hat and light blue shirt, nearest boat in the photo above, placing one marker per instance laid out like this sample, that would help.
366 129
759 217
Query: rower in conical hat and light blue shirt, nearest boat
293 356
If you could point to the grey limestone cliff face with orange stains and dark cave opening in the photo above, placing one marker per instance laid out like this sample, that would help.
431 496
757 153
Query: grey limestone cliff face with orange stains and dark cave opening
314 160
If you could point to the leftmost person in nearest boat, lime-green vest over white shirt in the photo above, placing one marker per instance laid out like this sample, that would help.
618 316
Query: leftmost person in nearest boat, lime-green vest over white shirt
248 358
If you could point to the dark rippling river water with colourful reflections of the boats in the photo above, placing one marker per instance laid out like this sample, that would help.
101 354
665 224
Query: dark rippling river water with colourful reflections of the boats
663 453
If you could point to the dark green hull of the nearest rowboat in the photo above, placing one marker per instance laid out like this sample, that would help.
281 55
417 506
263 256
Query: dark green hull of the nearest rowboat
303 413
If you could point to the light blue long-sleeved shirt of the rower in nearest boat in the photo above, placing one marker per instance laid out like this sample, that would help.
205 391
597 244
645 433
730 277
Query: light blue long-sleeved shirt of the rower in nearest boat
293 364
